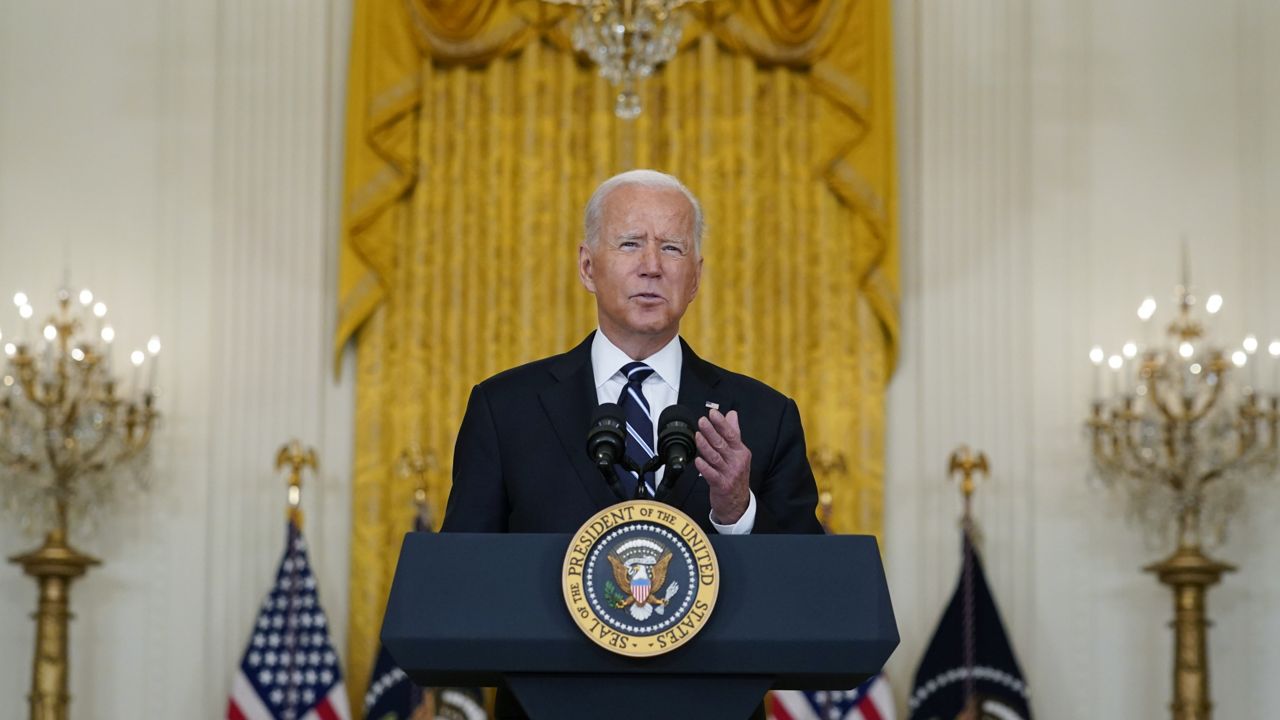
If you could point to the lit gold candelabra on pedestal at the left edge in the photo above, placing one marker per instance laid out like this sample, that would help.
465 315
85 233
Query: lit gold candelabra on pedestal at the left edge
70 441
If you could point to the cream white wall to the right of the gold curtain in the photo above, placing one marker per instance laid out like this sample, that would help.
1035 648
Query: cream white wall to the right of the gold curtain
1054 154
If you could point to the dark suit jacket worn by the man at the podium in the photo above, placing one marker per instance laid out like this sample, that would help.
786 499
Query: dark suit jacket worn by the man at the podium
520 464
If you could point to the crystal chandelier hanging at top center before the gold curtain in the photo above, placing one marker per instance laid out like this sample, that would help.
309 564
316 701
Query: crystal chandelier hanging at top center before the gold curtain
628 39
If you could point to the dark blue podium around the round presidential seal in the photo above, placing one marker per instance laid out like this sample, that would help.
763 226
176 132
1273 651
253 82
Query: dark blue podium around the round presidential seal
794 613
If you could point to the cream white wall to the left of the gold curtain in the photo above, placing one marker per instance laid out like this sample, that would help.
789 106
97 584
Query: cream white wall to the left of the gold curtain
184 161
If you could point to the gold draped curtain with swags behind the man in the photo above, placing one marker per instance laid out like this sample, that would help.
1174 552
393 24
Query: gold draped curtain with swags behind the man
474 139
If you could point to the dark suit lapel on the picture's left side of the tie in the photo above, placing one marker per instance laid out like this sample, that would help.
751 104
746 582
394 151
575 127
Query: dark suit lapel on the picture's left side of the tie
569 403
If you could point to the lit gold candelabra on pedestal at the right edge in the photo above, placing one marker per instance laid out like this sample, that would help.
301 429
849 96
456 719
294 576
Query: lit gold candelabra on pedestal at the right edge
1182 439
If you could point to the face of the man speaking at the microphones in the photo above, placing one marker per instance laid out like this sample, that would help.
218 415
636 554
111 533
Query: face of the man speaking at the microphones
643 268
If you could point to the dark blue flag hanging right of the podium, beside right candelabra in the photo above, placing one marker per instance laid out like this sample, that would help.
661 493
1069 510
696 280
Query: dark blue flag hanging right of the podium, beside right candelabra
970 669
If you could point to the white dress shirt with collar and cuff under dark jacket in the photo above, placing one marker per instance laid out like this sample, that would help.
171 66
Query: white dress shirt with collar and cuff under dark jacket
661 390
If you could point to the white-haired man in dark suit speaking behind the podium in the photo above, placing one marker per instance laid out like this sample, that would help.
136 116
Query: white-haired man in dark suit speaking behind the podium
520 463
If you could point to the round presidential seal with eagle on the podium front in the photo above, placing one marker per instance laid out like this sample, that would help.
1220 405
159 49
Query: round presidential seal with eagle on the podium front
641 578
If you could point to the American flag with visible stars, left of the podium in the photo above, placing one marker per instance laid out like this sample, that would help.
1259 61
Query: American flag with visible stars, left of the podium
290 671
